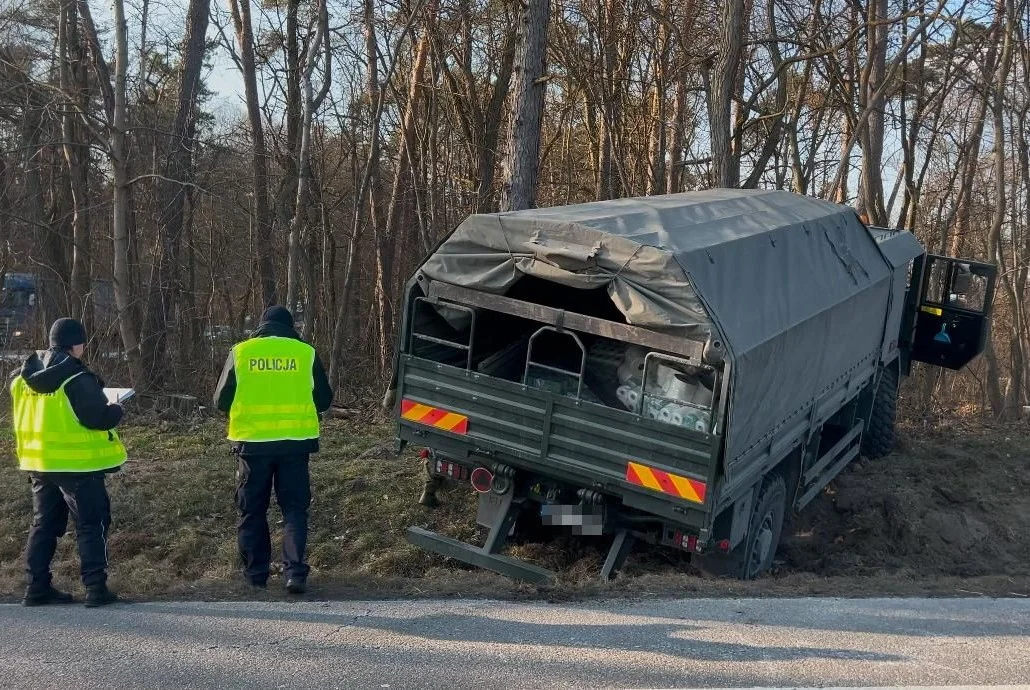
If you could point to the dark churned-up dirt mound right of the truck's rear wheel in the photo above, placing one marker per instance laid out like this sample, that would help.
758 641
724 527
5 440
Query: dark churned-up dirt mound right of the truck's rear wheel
942 505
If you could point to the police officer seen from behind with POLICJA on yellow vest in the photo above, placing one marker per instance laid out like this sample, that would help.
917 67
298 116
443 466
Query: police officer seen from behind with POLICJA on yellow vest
273 388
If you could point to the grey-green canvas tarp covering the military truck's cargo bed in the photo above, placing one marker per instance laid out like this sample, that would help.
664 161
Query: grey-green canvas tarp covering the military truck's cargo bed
797 288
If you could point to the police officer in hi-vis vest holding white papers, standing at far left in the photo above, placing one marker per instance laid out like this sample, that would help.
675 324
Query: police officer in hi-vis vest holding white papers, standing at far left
65 439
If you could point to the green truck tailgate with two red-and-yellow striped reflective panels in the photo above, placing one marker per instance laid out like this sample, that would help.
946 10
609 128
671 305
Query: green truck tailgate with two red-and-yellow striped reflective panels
658 468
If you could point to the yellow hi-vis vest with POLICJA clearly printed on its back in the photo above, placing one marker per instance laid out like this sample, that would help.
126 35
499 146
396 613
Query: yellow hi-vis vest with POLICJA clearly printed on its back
274 392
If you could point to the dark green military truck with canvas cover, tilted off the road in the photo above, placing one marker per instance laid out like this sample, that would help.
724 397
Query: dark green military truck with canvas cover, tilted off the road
681 370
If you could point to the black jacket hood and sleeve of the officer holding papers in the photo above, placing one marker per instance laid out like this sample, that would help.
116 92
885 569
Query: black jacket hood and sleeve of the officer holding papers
47 370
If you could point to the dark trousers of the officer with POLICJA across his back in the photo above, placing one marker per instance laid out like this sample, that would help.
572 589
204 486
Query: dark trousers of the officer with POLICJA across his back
256 477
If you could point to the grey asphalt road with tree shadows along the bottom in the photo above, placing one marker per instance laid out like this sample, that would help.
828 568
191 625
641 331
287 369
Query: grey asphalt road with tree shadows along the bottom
462 644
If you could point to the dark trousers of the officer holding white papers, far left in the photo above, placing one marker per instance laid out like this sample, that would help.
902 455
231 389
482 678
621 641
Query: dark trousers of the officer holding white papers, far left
54 497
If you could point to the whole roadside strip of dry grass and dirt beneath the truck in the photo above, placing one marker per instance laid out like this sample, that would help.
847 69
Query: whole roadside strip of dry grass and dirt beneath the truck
175 527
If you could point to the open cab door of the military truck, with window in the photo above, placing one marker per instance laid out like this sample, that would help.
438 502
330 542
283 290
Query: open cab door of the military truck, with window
951 309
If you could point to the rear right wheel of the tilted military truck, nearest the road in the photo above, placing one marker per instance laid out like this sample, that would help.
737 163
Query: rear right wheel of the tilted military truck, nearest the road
754 557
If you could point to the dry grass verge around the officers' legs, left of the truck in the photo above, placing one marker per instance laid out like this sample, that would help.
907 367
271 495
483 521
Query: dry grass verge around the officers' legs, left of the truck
175 521
